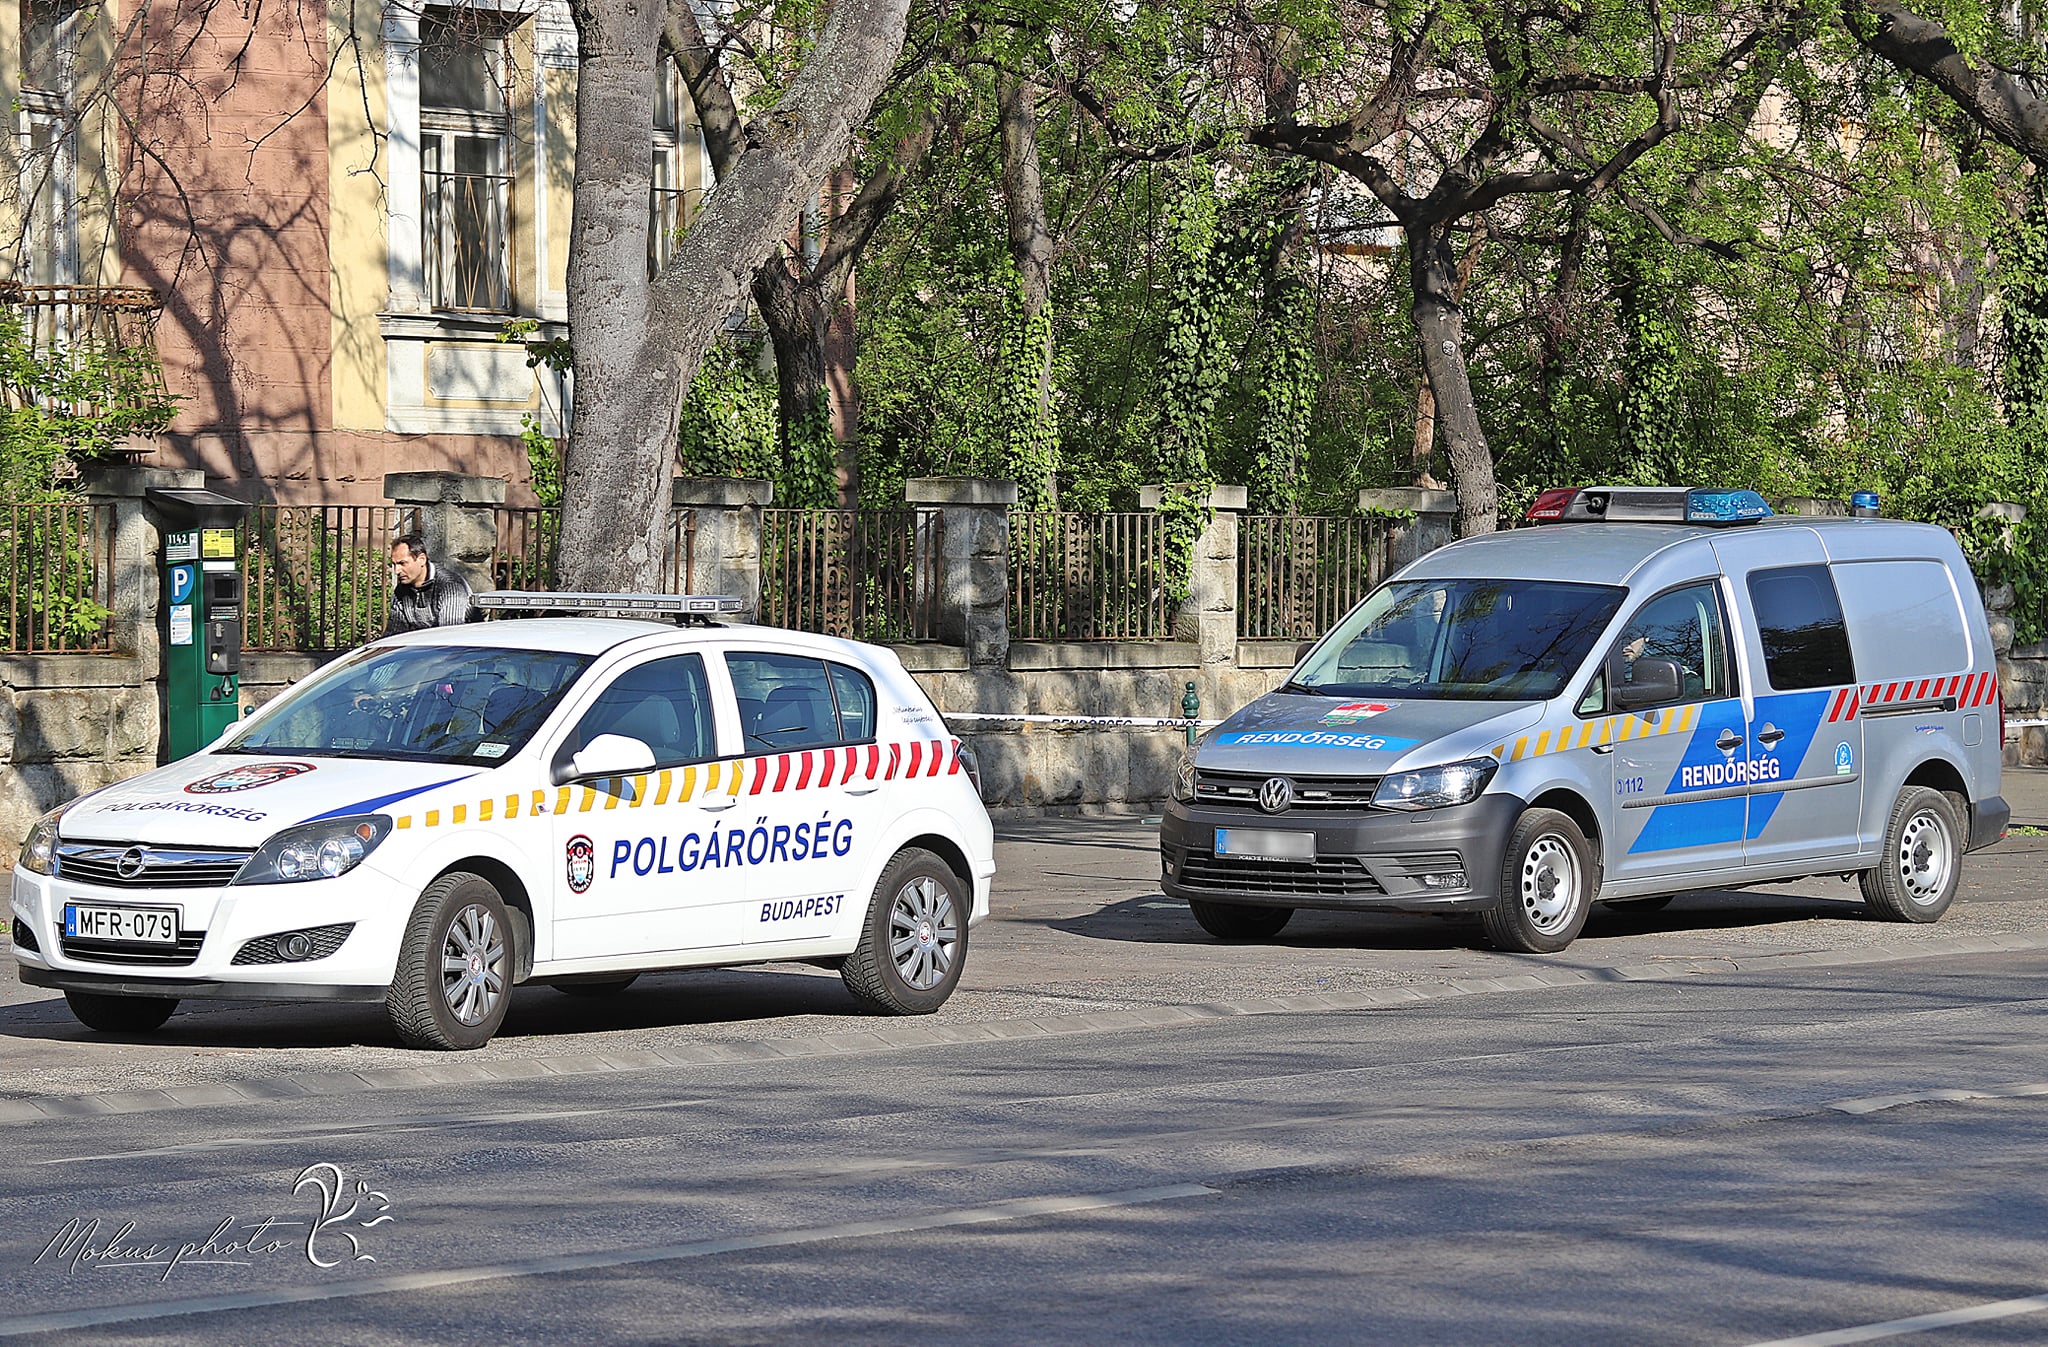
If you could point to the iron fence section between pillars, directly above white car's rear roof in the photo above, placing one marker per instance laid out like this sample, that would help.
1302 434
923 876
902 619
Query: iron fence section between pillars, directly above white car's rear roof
863 574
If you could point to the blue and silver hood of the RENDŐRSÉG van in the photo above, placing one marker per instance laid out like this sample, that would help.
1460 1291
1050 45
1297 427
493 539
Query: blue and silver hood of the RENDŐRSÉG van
1334 736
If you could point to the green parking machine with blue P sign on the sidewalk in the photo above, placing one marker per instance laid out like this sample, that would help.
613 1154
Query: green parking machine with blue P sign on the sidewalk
202 634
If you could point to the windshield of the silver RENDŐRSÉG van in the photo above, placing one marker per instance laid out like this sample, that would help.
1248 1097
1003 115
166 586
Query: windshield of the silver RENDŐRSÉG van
1461 640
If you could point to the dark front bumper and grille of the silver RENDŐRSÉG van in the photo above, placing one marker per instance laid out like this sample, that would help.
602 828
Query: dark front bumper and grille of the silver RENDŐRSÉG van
1435 861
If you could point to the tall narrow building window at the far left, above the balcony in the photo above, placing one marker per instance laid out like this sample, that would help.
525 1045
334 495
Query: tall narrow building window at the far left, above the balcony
48 138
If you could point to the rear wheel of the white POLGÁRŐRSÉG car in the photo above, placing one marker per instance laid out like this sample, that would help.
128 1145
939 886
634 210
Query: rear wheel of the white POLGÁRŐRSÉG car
914 943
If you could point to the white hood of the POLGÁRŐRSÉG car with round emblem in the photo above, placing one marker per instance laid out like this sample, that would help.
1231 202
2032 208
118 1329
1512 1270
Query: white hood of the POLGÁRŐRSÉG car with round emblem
237 801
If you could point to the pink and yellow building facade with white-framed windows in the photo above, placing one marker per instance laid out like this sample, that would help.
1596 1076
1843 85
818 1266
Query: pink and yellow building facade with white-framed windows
339 210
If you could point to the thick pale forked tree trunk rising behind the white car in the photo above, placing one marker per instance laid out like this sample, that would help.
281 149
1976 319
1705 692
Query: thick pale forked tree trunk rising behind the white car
640 343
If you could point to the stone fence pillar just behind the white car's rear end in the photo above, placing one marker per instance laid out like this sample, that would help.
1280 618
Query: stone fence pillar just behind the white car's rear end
974 562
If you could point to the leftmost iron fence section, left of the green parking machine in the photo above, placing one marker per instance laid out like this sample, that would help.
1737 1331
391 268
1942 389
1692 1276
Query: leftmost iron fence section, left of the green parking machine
60 562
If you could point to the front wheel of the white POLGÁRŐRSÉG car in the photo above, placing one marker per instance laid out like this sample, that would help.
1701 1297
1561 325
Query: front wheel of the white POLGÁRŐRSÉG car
456 969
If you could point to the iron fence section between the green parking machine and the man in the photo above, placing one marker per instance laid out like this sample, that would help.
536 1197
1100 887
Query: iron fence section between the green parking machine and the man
318 576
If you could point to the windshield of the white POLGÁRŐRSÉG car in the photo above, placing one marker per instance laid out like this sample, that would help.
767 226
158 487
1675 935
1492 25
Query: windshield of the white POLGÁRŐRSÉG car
421 703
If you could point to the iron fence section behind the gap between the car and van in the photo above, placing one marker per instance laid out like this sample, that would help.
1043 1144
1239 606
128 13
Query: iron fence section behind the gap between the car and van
1089 578
